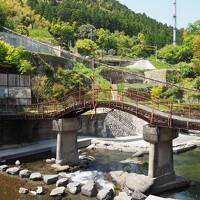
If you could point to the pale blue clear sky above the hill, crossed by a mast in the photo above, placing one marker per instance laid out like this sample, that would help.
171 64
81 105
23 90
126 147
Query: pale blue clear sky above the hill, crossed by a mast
188 11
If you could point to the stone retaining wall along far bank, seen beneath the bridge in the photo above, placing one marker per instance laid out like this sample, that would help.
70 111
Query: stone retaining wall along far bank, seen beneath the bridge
108 125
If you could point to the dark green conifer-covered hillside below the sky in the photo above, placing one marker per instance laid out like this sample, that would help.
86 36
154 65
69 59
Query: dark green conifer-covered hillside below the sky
109 14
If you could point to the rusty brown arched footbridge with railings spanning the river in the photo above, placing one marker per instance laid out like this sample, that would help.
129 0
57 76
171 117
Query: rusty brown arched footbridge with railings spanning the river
140 104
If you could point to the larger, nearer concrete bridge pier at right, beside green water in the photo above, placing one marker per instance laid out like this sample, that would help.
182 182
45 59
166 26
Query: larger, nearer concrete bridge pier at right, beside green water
161 165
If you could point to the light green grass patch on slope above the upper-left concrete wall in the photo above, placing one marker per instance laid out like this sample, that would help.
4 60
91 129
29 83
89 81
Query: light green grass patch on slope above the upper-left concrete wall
40 34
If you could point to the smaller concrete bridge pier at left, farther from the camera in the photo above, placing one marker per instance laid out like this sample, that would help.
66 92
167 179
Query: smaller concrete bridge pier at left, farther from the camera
67 147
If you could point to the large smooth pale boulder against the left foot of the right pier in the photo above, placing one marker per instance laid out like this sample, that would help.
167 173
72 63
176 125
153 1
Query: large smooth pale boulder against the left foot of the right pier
138 182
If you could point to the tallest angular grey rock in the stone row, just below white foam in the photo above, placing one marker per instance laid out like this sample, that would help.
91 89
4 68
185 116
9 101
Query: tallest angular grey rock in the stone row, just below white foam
89 189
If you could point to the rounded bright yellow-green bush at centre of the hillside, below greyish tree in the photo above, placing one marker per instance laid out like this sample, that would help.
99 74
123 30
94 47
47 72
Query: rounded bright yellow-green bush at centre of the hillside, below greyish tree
86 47
